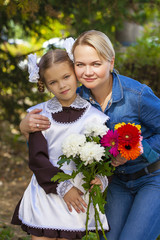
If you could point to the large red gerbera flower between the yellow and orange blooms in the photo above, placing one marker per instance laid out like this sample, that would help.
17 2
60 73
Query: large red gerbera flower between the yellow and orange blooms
128 135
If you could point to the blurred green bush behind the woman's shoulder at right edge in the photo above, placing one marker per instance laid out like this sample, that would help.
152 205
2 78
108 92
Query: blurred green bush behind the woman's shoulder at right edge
141 61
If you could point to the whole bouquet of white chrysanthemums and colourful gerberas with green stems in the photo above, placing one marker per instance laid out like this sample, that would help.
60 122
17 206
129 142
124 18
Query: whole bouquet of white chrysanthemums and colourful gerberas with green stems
92 153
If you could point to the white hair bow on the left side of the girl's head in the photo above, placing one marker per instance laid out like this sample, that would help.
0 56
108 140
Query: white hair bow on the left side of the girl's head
33 69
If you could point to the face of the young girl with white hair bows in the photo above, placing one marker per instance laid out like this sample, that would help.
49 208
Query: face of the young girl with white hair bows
60 79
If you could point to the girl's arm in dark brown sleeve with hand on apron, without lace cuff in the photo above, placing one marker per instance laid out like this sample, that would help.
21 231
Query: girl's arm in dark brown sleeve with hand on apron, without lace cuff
44 170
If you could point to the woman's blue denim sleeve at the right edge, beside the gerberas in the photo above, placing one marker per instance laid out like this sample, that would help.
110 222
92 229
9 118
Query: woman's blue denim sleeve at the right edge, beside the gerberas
150 117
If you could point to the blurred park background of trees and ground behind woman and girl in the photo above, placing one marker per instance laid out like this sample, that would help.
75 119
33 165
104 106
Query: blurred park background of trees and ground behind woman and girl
36 26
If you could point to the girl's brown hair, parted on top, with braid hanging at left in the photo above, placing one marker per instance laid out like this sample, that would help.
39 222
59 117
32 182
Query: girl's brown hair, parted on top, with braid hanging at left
47 60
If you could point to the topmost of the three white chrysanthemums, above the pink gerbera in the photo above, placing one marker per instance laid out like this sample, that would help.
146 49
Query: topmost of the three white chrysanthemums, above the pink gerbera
95 129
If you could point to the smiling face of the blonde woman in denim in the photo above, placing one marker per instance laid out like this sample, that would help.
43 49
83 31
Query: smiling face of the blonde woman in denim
91 70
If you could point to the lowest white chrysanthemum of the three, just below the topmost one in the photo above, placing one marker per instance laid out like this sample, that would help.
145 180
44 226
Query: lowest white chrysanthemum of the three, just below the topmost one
91 151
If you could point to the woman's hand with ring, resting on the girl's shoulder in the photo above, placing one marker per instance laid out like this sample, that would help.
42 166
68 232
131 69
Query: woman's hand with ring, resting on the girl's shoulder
34 122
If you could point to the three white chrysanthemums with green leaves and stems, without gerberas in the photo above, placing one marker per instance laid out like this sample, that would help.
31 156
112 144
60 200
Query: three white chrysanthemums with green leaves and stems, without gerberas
91 159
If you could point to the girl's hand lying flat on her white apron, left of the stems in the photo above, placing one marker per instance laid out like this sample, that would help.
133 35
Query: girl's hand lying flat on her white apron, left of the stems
73 199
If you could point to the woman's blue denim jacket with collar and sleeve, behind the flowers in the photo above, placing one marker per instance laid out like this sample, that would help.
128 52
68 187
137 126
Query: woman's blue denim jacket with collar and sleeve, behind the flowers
135 103
